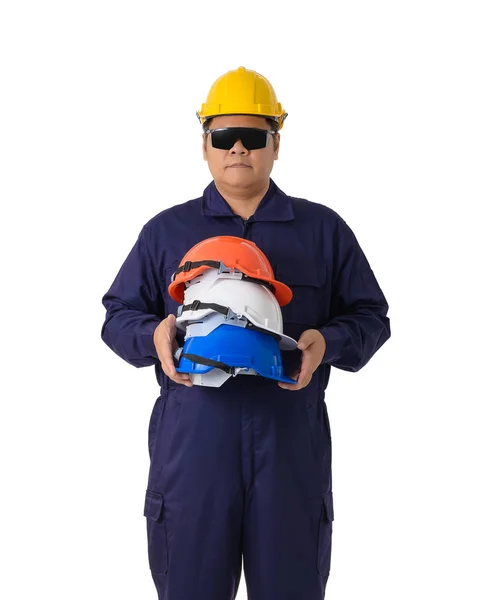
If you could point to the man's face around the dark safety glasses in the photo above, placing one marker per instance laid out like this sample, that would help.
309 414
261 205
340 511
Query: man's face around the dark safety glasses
259 162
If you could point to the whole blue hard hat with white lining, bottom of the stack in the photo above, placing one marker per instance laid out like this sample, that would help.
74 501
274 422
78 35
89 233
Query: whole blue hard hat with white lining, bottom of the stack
232 350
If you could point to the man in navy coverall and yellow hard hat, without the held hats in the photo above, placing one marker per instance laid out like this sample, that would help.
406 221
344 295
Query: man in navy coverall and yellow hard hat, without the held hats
244 470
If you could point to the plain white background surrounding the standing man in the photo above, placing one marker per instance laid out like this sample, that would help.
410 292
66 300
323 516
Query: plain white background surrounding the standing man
389 125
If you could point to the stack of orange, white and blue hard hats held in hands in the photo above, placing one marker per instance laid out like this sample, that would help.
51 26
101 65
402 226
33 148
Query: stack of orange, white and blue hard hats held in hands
230 311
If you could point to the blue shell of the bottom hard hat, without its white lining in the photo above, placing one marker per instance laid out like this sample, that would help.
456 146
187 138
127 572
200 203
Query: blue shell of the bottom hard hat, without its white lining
235 347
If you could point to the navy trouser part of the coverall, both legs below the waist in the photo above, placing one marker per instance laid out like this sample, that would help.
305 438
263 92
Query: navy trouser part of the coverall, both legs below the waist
240 472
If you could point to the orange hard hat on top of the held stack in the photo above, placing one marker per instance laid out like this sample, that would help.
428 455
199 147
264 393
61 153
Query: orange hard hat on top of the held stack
226 251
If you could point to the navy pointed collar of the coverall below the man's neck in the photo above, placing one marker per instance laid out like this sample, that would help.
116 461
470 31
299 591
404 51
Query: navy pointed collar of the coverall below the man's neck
274 206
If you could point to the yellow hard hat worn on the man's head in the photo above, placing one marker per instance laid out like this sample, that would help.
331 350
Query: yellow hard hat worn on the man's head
242 92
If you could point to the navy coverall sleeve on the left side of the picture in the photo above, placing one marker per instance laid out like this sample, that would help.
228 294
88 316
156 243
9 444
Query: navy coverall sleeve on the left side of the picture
134 308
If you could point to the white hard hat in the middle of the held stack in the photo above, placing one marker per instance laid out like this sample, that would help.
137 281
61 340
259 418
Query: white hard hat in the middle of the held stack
233 301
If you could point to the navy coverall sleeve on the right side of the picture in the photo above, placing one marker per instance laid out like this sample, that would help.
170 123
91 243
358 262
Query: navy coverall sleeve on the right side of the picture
359 325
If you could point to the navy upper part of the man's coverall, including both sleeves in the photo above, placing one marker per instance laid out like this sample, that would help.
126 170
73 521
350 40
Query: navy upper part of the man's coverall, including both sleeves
311 249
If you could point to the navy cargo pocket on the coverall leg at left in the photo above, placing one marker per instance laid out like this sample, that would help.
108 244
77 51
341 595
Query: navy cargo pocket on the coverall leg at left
156 532
